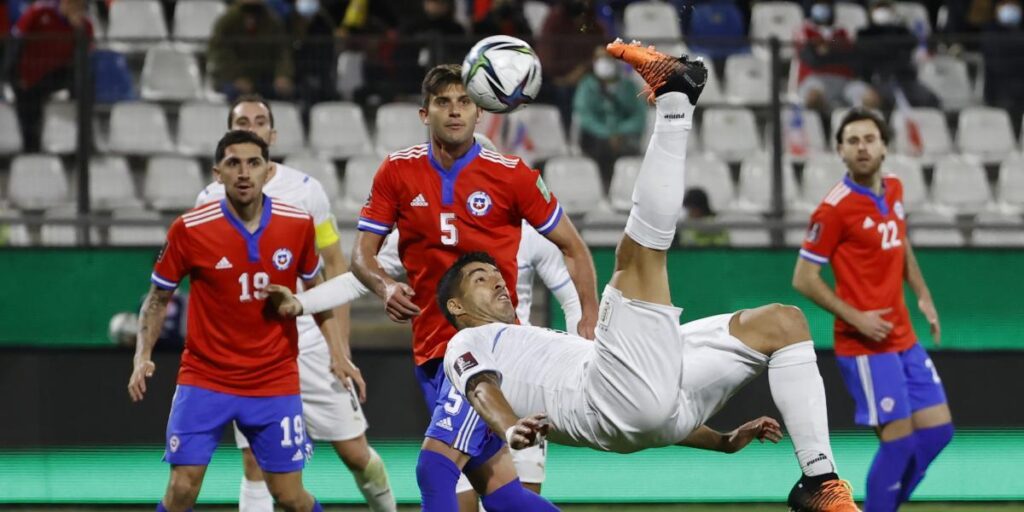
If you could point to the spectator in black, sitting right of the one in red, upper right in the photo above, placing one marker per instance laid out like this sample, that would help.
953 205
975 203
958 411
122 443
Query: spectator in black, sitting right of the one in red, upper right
885 50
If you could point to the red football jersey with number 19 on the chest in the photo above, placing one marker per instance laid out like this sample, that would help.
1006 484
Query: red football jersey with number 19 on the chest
233 347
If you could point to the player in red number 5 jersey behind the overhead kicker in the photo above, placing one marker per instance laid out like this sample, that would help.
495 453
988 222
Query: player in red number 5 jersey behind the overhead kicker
450 197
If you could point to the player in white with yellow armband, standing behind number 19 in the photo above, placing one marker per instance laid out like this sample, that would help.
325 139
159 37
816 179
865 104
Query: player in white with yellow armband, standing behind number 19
332 388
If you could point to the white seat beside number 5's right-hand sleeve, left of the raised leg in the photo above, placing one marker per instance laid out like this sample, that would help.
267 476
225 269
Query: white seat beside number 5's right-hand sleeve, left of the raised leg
577 183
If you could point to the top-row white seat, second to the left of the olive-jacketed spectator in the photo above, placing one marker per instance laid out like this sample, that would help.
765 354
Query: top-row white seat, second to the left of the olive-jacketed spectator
136 26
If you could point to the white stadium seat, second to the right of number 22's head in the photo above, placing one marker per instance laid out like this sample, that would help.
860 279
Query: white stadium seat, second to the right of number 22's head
986 133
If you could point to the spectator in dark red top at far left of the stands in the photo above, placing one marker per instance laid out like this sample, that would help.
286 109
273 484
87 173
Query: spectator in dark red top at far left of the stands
40 60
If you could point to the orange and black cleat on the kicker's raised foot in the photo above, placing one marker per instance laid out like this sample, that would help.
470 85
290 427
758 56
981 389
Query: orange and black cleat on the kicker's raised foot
663 73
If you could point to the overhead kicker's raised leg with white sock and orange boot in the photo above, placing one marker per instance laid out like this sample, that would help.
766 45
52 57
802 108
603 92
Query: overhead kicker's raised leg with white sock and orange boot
658 195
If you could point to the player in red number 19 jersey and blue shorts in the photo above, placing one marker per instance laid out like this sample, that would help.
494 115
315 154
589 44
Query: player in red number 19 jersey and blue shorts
239 363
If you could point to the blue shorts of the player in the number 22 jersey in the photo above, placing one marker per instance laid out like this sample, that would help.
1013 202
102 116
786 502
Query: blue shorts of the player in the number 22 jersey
891 387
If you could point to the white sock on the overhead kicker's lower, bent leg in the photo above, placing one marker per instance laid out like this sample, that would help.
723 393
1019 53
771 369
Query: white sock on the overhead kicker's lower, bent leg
800 396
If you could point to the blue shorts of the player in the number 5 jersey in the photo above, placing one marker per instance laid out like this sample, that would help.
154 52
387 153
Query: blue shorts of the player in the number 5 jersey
454 421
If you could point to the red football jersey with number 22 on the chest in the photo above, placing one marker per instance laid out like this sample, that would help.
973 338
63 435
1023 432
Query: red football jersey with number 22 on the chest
864 236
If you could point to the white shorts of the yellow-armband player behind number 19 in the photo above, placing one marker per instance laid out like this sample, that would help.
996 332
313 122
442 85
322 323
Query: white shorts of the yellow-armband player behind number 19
331 413
